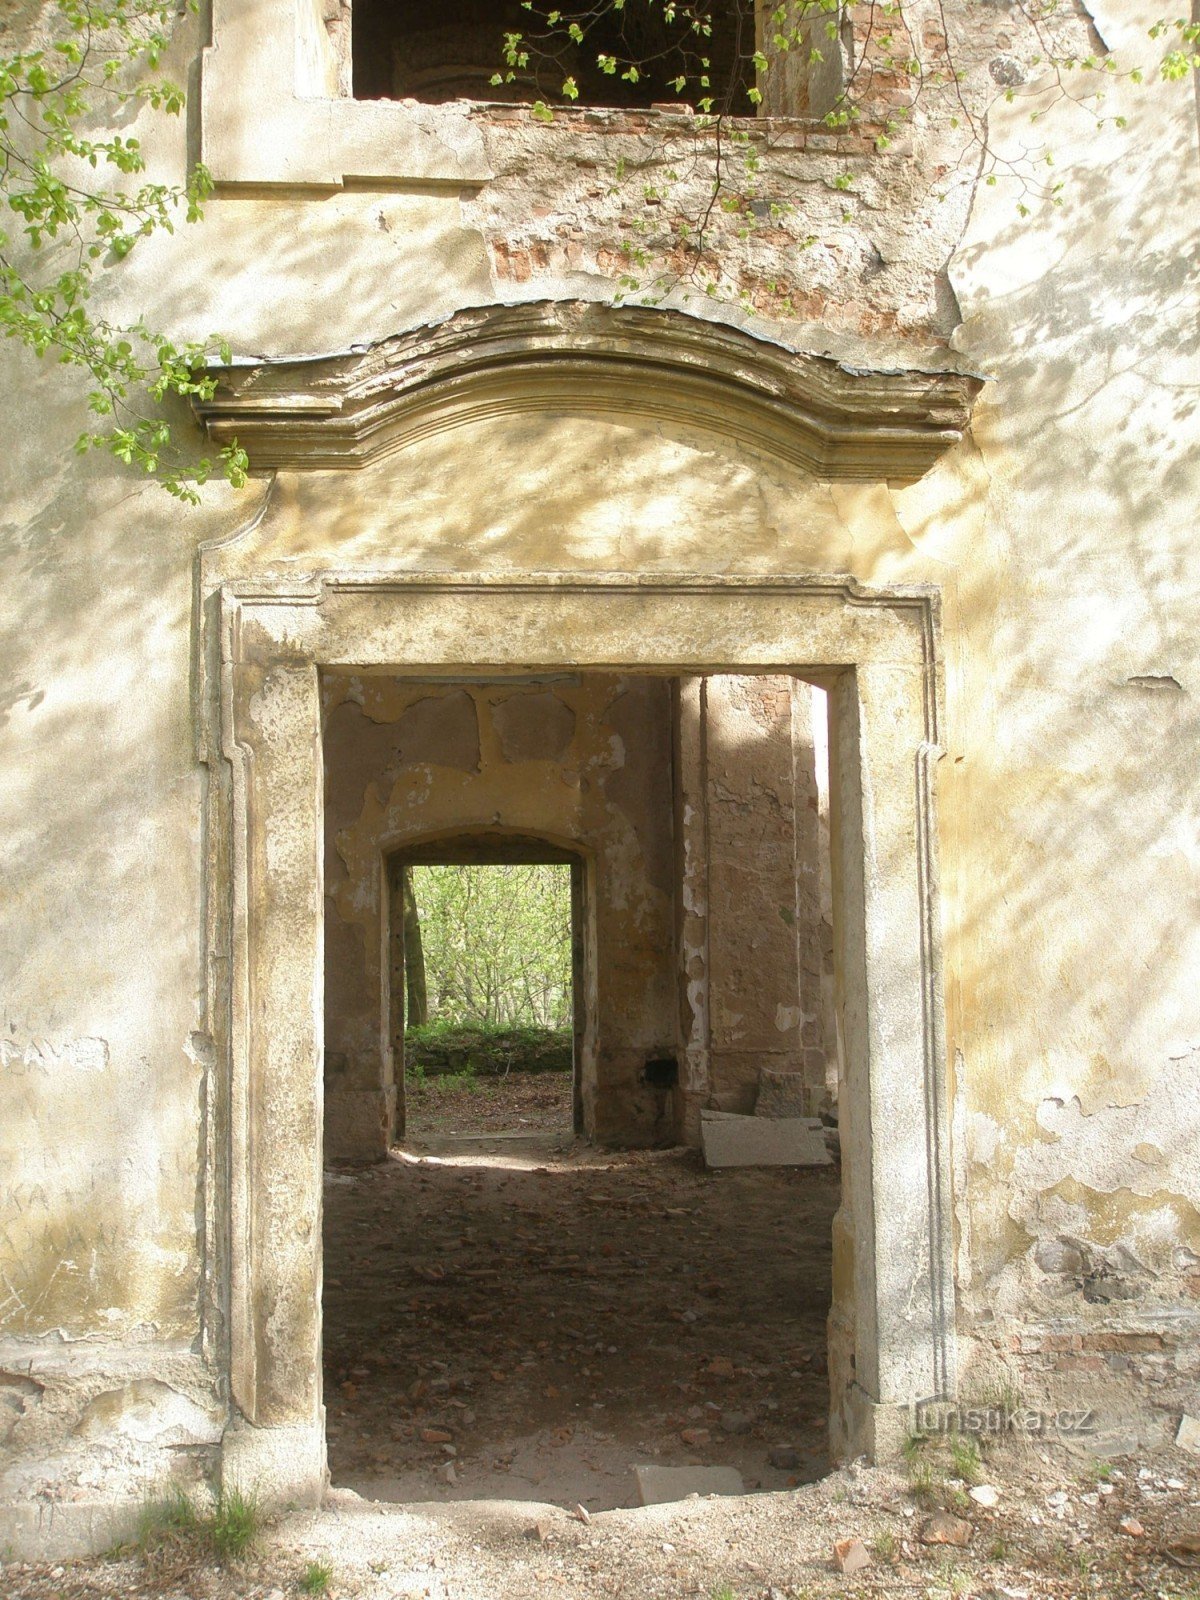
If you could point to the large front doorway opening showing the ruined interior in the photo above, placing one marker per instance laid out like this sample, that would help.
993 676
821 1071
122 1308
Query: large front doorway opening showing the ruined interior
569 1313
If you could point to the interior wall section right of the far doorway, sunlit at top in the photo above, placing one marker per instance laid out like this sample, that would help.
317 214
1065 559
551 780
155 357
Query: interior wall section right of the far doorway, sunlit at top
754 935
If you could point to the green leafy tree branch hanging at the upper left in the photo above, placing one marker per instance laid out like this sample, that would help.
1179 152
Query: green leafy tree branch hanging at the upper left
81 209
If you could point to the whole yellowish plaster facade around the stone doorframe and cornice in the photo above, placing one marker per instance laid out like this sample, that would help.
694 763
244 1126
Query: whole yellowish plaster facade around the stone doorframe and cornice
1062 538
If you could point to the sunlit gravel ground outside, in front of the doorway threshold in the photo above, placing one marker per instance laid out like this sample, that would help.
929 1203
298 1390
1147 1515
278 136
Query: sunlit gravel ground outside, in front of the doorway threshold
1055 1534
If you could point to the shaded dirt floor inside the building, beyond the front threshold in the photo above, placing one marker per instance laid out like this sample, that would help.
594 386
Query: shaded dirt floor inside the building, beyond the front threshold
521 1318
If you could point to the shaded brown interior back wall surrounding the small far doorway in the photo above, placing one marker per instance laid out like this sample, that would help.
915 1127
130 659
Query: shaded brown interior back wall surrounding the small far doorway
580 762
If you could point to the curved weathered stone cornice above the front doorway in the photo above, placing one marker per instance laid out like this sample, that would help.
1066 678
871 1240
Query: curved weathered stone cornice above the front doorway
818 414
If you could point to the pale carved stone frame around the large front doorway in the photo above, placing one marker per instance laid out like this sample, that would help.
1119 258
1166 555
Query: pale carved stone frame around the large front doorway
894 1324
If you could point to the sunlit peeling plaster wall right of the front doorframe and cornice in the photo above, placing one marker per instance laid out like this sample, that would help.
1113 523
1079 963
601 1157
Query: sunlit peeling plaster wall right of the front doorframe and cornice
1071 812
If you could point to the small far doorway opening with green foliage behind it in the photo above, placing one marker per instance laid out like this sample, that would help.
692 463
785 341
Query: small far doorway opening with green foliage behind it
486 942
